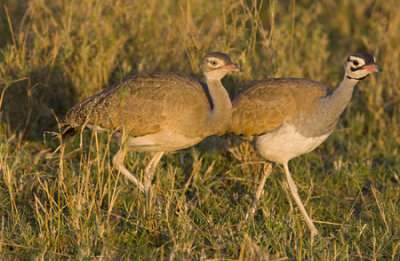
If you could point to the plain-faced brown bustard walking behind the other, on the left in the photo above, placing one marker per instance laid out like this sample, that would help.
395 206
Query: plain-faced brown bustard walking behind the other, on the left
158 112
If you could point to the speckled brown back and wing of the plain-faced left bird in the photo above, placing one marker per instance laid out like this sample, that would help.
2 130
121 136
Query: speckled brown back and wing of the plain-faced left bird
144 104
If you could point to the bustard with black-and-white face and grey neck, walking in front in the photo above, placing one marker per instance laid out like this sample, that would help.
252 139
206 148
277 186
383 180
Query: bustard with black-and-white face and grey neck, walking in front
288 117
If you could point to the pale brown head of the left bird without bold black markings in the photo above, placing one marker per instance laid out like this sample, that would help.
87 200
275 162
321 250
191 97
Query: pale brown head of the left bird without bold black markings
216 65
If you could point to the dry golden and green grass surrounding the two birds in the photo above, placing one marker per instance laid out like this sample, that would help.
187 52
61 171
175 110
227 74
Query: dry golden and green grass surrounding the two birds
74 205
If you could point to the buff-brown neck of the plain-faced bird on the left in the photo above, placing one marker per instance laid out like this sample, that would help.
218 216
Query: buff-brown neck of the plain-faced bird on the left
220 116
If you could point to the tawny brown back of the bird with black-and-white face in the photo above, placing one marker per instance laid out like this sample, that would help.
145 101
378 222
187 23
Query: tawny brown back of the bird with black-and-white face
266 104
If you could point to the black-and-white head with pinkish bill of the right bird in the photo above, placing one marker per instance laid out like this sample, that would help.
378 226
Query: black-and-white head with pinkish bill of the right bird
359 65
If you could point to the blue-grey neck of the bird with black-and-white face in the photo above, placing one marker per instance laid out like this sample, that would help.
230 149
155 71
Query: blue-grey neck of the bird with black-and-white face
331 107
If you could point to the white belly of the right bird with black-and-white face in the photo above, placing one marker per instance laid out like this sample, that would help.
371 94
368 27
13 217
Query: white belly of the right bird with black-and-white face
285 144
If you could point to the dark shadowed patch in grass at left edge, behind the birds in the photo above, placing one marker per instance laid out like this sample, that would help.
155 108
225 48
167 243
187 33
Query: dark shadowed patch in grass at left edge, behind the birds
31 103
